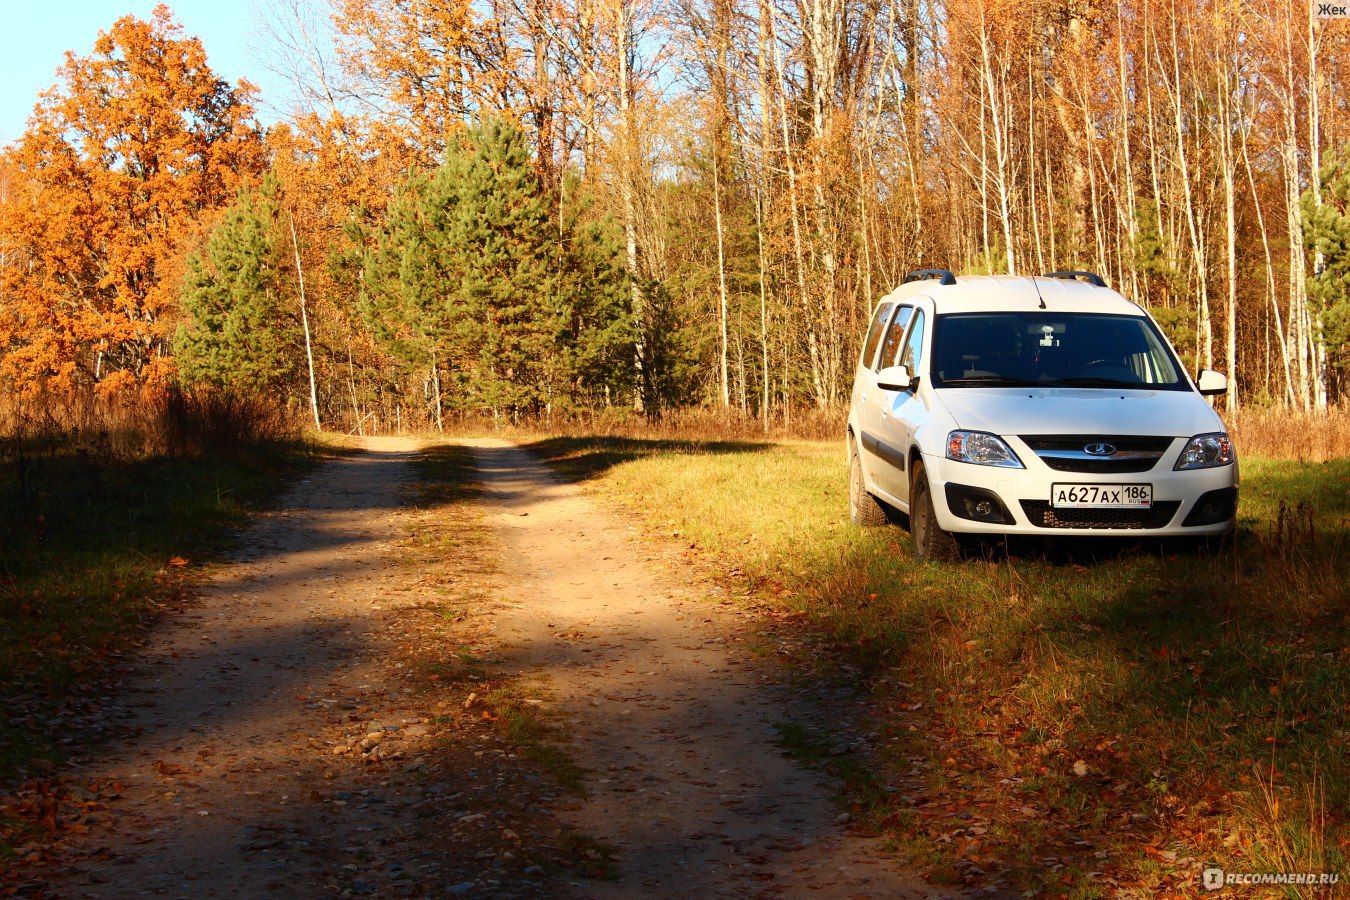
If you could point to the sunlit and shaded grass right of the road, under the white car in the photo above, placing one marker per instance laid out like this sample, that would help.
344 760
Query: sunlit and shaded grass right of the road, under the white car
1139 710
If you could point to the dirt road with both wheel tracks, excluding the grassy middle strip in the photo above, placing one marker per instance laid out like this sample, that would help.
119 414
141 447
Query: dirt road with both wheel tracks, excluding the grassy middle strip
250 774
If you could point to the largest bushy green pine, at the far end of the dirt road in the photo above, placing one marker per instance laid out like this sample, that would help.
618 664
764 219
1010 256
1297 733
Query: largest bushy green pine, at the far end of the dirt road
472 276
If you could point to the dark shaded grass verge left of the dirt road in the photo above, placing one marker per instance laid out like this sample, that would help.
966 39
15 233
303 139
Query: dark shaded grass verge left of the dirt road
91 549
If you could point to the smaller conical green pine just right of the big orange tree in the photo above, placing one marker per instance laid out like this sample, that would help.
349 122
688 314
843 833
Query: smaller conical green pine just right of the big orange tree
242 331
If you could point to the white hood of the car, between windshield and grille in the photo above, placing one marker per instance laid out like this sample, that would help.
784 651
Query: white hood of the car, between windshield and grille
1077 411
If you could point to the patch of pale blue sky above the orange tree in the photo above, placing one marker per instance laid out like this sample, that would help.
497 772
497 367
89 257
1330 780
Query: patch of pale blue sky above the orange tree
37 34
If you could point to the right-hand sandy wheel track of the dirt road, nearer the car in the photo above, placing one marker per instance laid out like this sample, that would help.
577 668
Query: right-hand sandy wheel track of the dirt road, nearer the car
676 728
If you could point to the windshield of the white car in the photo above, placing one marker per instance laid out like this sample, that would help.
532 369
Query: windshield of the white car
1052 350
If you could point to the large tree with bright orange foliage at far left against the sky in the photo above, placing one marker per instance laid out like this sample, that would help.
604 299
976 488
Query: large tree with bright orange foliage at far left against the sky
119 168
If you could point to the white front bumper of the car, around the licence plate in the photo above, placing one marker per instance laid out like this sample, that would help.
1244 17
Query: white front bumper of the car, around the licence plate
985 500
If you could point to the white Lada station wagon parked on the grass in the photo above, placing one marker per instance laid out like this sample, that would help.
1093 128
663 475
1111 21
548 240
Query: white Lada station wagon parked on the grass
1039 407
